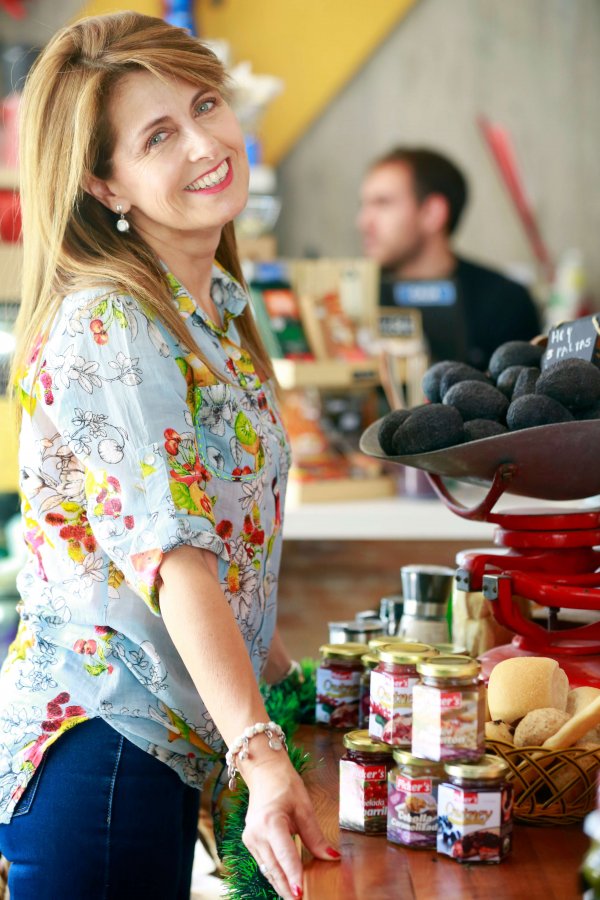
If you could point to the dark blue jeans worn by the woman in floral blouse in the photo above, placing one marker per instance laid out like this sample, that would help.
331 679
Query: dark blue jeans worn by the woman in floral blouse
101 820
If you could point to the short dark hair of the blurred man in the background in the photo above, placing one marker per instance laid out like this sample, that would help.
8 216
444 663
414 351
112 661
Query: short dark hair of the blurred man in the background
432 174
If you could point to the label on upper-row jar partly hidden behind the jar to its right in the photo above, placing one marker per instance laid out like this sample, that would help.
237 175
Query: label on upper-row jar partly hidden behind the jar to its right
390 715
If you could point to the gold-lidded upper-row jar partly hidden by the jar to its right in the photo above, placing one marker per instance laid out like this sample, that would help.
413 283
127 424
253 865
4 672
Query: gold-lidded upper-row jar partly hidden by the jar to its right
392 683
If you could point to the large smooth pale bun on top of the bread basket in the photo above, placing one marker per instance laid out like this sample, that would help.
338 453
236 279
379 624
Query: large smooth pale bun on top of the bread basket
524 683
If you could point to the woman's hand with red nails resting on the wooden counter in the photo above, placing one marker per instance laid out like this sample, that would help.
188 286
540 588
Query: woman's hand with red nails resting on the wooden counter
280 807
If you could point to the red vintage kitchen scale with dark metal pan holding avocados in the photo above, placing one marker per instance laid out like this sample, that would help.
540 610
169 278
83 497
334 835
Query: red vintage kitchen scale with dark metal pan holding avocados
548 555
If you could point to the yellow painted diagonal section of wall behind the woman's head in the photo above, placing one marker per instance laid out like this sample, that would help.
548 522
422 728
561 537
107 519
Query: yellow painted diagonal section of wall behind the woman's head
316 46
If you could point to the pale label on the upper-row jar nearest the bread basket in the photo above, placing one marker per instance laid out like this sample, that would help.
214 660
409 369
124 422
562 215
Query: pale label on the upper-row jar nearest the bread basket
448 725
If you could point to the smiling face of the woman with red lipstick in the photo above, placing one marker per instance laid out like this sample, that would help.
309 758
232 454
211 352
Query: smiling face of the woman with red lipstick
179 161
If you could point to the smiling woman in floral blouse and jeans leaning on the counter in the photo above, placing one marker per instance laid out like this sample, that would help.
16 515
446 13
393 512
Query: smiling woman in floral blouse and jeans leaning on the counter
153 470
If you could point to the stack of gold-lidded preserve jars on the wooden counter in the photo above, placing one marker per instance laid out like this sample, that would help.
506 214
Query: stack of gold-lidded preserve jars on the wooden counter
419 773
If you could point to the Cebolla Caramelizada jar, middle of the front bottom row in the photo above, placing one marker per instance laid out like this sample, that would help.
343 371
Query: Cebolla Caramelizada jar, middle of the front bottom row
412 801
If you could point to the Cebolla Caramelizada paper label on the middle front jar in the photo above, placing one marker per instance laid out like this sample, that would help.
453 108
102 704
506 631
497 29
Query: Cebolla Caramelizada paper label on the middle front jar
412 811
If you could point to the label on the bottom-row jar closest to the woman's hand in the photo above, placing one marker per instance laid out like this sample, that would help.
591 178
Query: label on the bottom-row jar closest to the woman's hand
363 796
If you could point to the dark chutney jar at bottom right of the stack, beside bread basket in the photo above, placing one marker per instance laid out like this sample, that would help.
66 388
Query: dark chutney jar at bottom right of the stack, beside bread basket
475 811
